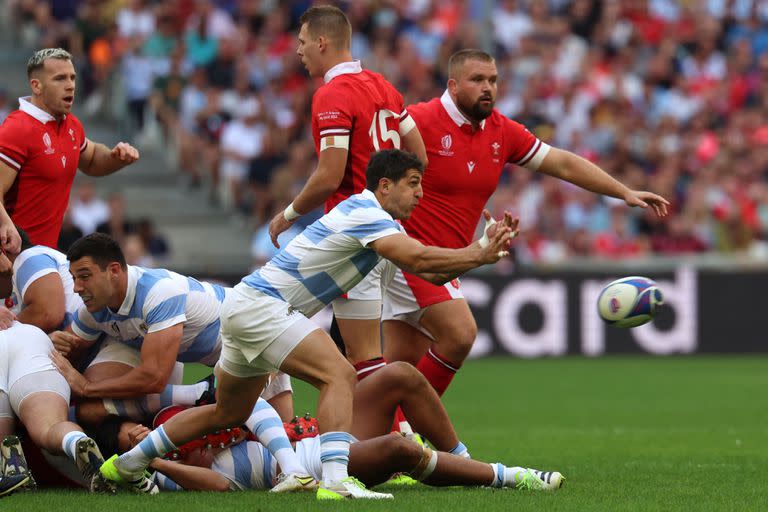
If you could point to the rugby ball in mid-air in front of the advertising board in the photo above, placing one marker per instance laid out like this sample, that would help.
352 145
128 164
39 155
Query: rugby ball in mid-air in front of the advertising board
629 302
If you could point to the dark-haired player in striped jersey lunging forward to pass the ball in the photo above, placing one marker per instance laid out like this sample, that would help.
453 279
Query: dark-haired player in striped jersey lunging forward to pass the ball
265 322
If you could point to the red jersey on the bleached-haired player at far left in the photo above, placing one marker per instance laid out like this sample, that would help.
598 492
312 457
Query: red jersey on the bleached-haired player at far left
45 153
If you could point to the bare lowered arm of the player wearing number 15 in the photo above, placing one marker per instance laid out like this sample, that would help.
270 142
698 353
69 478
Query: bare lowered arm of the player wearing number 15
319 187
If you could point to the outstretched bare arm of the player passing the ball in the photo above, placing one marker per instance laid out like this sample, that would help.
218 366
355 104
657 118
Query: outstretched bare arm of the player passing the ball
439 265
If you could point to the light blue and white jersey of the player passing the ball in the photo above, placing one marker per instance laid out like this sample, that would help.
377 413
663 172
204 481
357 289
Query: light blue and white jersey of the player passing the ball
329 257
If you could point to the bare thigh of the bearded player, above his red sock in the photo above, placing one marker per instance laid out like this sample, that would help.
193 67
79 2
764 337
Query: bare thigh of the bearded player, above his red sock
450 321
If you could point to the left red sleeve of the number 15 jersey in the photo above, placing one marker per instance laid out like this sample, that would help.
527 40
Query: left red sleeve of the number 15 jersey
332 114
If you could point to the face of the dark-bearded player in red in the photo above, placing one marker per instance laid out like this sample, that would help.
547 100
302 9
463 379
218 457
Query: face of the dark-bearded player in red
475 89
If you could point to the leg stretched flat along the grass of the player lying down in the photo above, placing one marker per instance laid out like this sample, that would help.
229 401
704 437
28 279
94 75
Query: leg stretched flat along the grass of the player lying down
374 460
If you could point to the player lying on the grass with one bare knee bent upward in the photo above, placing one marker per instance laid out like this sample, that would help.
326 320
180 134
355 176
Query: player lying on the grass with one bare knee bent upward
373 459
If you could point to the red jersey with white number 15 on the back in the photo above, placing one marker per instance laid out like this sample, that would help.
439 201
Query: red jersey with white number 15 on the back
361 109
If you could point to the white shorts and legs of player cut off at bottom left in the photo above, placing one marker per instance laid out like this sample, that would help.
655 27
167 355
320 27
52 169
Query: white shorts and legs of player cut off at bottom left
32 390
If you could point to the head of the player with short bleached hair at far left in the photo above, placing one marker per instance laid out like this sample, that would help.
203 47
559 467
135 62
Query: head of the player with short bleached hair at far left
52 80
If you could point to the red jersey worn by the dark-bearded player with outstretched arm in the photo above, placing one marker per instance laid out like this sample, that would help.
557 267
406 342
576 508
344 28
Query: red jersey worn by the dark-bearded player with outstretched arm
464 169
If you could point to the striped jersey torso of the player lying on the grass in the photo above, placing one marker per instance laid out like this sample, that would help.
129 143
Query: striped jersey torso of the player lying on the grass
247 465
